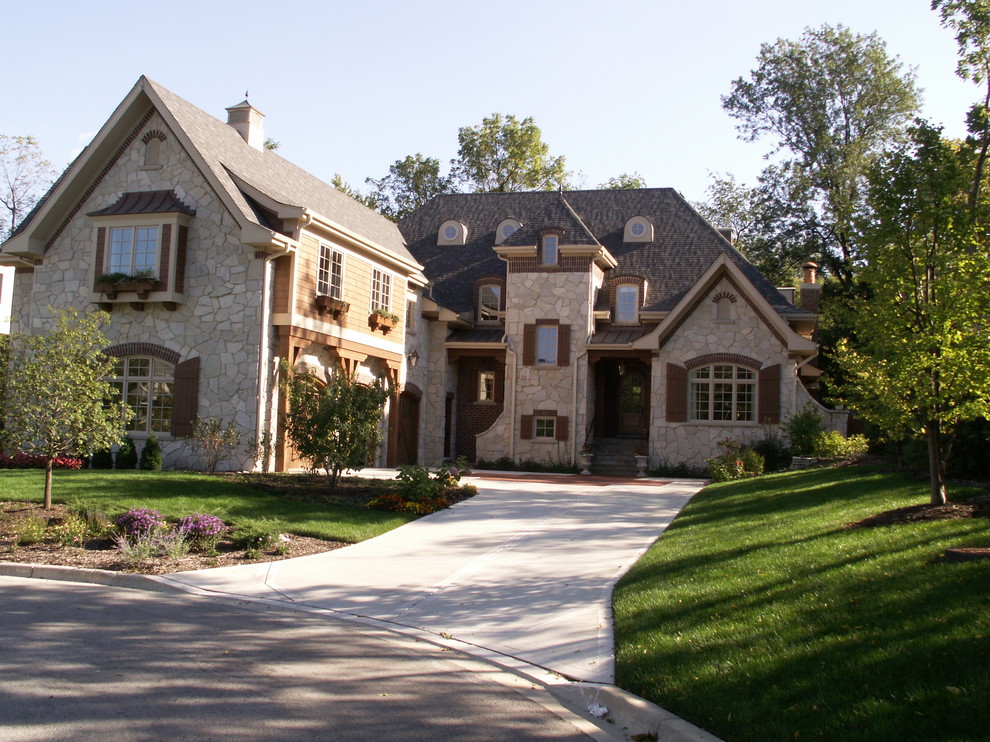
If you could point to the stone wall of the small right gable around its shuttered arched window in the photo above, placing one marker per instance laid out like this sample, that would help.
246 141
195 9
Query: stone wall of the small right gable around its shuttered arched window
701 334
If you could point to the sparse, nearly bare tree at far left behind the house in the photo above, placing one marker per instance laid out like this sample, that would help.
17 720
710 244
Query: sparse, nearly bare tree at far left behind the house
25 174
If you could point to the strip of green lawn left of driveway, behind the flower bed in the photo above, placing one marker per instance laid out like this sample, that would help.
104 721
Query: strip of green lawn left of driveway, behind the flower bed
175 494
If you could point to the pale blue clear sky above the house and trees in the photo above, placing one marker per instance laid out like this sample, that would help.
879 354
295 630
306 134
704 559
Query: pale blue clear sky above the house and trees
616 86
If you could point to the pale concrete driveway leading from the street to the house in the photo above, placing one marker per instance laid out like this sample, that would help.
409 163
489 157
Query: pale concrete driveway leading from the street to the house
525 569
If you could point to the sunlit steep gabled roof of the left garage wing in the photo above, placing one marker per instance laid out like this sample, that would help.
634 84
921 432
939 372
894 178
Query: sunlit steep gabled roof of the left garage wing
224 158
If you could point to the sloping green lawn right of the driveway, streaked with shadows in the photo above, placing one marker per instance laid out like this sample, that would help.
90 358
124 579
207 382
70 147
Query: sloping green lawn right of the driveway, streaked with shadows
757 616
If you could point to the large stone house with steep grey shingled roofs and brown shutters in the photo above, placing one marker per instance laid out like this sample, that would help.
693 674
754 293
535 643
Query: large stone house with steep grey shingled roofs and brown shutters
530 325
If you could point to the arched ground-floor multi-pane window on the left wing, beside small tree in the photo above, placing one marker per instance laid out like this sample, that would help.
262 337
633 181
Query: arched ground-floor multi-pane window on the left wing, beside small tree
145 384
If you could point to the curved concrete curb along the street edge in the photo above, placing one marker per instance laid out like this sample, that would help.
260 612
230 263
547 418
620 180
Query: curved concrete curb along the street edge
625 713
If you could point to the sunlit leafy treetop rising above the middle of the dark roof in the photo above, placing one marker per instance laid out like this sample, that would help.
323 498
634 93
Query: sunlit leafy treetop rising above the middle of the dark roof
504 154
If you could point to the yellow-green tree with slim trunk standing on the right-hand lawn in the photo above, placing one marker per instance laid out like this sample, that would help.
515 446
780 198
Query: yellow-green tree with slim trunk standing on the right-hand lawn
922 361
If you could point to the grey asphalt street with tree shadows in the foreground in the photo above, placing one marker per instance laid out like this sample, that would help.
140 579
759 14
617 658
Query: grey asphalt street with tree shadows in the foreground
89 662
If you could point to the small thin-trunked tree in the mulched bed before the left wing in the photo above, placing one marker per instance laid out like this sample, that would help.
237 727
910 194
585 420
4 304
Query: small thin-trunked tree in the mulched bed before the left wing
58 399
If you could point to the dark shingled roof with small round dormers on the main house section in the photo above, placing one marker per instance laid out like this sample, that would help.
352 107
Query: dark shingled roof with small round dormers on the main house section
684 245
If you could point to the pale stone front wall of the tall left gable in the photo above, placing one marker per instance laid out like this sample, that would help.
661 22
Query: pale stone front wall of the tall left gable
219 320
